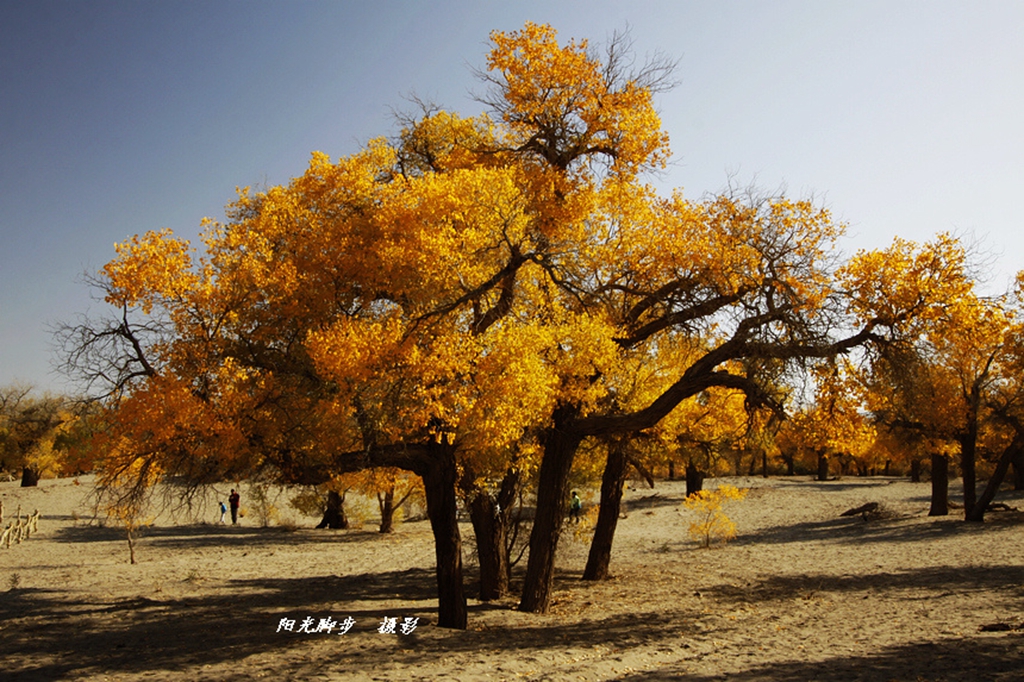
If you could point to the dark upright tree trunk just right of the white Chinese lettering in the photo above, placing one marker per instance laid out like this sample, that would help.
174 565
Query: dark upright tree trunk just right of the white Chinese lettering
440 485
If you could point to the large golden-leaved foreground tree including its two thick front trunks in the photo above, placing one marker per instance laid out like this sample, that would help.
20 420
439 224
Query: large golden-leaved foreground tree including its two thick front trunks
479 295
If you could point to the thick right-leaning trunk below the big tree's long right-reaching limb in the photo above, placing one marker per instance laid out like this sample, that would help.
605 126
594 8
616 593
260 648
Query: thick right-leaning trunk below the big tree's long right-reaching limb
560 450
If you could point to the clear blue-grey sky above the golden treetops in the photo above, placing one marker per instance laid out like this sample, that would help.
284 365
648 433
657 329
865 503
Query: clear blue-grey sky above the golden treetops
117 118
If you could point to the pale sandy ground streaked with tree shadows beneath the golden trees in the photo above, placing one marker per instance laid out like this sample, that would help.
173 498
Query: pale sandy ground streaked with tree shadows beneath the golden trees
801 594
